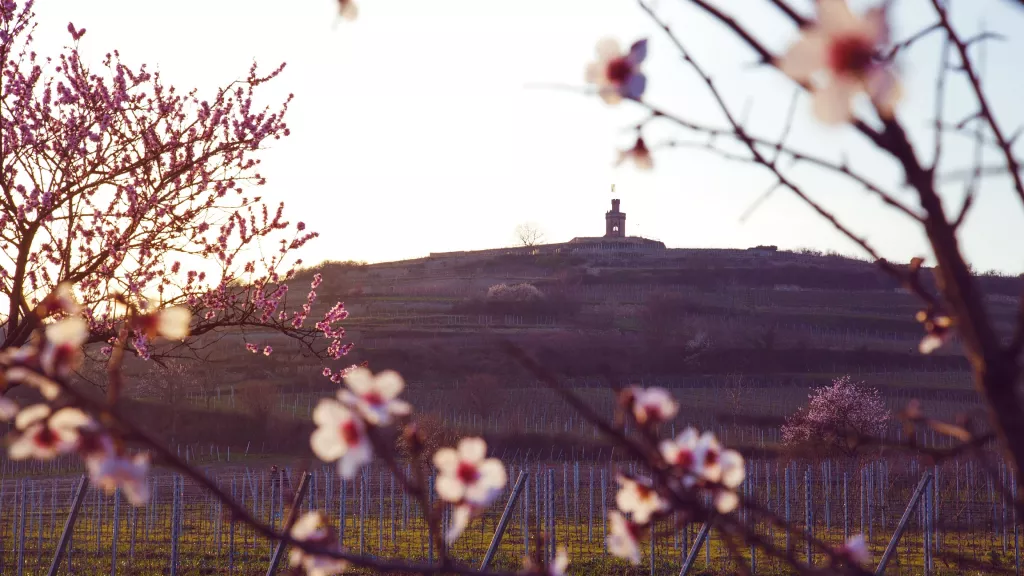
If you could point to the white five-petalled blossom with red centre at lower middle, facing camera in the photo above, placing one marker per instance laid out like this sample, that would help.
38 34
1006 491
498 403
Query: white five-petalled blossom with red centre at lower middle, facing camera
465 475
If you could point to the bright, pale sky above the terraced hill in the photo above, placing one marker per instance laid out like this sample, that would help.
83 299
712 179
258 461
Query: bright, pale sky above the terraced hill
442 126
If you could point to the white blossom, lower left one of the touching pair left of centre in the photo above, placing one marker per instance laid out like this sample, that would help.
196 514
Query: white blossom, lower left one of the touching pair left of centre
342 436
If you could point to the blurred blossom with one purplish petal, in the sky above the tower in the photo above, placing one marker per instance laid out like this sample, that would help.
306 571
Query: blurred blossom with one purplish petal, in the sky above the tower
617 74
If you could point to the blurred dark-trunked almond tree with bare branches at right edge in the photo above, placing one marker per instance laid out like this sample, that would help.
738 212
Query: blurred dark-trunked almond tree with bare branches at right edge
836 56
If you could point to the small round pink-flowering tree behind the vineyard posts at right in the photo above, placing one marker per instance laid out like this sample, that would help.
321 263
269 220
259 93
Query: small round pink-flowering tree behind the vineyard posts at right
836 417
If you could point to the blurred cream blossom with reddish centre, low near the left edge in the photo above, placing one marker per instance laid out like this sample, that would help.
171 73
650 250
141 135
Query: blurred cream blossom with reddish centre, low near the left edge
42 435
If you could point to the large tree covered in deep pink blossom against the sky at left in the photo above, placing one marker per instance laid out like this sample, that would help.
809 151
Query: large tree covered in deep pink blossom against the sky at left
129 191
